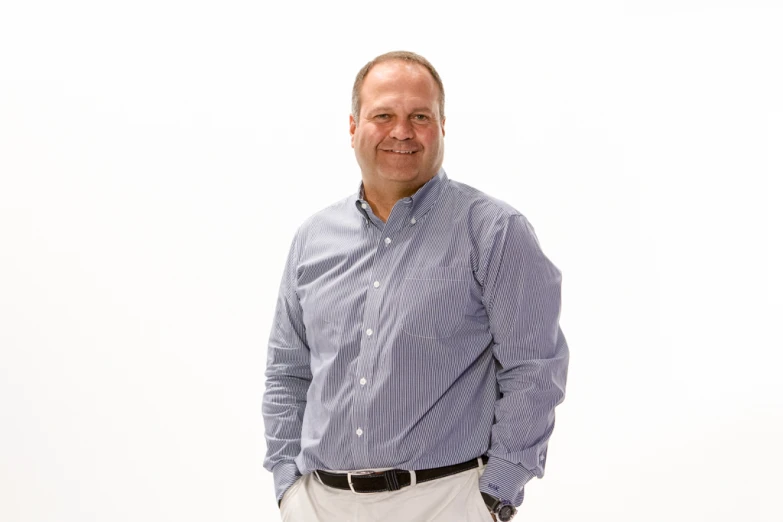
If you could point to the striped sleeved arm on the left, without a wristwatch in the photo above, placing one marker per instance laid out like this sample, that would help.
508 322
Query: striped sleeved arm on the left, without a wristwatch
287 379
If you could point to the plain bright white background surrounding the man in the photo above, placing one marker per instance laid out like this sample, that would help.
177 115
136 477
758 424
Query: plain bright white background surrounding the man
157 156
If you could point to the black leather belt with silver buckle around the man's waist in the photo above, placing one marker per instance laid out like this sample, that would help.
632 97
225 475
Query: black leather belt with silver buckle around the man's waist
391 480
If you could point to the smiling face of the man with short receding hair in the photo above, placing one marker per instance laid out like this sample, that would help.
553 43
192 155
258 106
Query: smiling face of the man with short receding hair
398 137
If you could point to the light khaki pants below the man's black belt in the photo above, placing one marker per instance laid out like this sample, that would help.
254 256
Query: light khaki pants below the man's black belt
455 498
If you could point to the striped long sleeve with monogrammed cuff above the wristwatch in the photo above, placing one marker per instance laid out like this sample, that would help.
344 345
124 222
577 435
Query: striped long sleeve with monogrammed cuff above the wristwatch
522 299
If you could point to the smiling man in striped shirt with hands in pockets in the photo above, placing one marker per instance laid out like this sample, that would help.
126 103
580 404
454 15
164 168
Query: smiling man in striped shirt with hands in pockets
415 359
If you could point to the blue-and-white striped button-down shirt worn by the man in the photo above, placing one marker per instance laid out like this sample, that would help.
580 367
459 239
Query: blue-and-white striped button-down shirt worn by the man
421 342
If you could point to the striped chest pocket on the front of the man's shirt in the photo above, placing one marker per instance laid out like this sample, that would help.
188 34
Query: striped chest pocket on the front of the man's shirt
433 301
